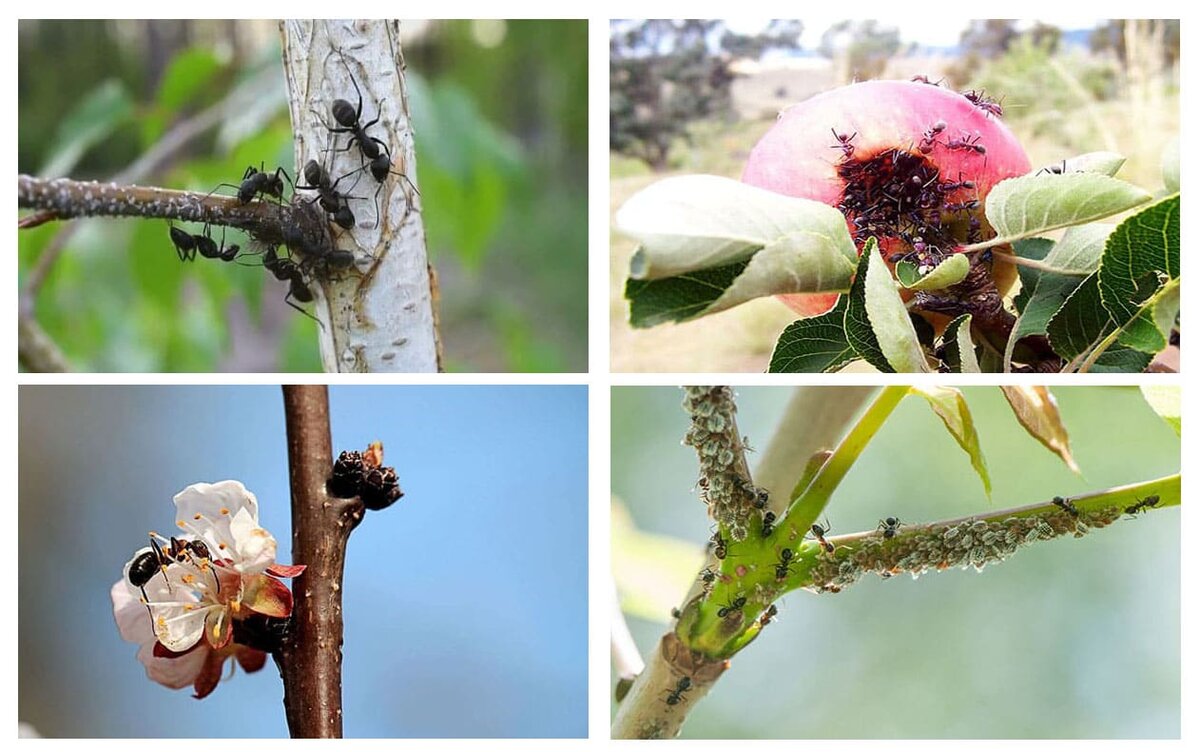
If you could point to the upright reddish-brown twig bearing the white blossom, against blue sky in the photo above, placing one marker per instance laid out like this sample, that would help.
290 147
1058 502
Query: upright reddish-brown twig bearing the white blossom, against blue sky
311 658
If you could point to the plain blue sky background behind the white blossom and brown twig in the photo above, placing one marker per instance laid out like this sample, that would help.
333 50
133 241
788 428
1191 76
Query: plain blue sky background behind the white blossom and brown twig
466 603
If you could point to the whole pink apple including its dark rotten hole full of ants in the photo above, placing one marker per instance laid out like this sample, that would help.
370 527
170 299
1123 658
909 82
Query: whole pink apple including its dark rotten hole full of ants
909 164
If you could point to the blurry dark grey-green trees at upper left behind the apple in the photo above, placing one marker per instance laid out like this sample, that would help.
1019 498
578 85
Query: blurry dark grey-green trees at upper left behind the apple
667 75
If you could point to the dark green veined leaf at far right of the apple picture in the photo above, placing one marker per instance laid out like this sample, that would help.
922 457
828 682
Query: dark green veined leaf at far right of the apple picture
1142 256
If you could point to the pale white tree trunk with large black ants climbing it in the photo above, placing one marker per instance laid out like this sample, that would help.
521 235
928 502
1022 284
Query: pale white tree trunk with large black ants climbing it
381 316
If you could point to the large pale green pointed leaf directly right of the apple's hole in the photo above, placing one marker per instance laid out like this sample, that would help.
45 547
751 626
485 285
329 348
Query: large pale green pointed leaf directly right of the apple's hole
1033 204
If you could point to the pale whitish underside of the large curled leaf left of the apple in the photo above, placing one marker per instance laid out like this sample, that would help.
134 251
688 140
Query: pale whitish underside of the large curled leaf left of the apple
697 222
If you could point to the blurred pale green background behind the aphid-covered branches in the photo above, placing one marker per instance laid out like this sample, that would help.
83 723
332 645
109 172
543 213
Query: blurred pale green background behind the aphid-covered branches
1071 639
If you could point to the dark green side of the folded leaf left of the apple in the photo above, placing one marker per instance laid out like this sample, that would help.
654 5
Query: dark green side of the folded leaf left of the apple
677 299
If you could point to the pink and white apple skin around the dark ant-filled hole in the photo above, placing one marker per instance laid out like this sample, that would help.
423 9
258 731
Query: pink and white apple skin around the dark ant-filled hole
801 155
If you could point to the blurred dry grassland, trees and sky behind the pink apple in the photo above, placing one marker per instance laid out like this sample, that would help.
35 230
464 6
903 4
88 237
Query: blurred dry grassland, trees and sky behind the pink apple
695 97
